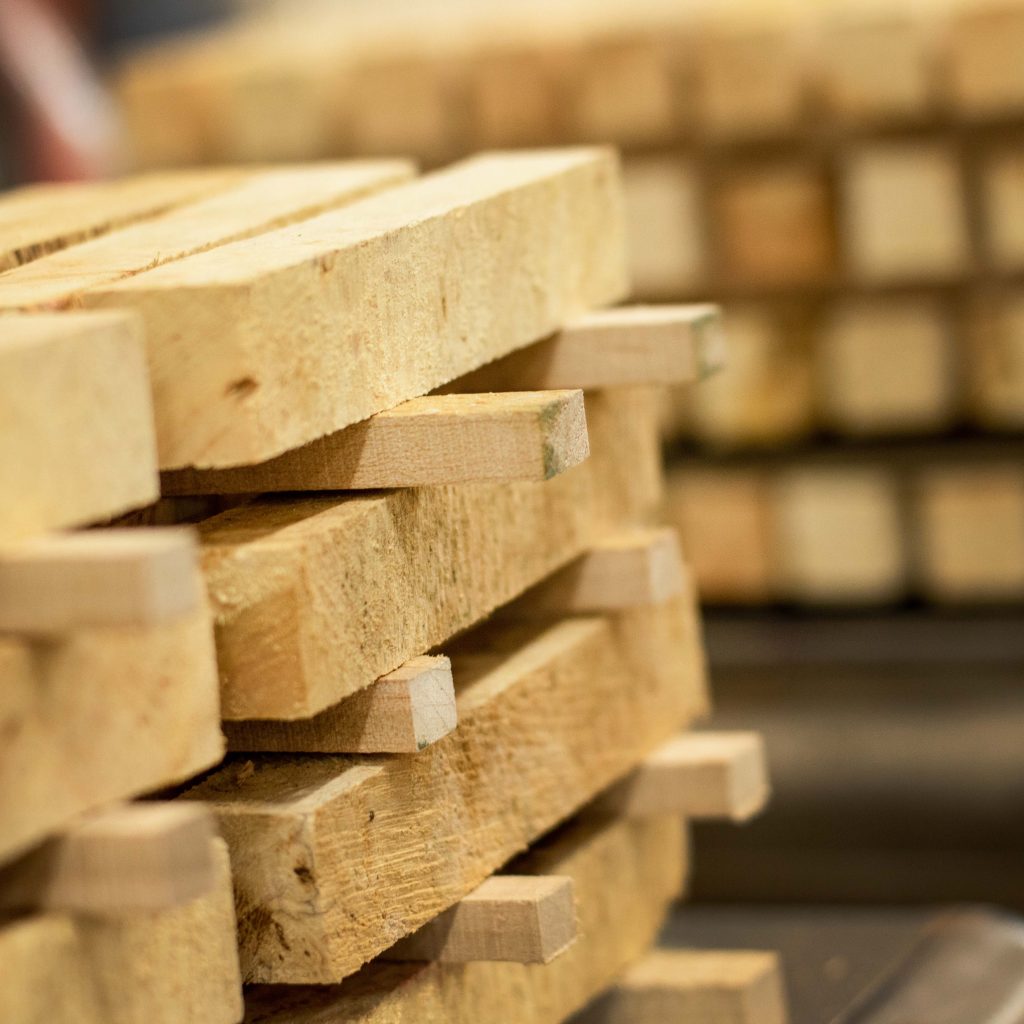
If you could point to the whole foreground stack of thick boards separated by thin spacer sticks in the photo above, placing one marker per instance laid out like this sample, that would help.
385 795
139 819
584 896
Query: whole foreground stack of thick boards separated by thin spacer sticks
362 392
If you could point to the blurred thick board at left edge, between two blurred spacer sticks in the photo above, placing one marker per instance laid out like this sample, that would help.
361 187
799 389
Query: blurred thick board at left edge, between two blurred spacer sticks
100 715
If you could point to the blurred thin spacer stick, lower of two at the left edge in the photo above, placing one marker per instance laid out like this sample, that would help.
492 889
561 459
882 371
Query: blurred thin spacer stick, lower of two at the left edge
119 861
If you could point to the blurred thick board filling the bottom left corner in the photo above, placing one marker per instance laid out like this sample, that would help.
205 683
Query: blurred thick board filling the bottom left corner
168 967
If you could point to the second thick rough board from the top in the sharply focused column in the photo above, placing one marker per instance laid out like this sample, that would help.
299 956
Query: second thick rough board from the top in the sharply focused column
315 600
